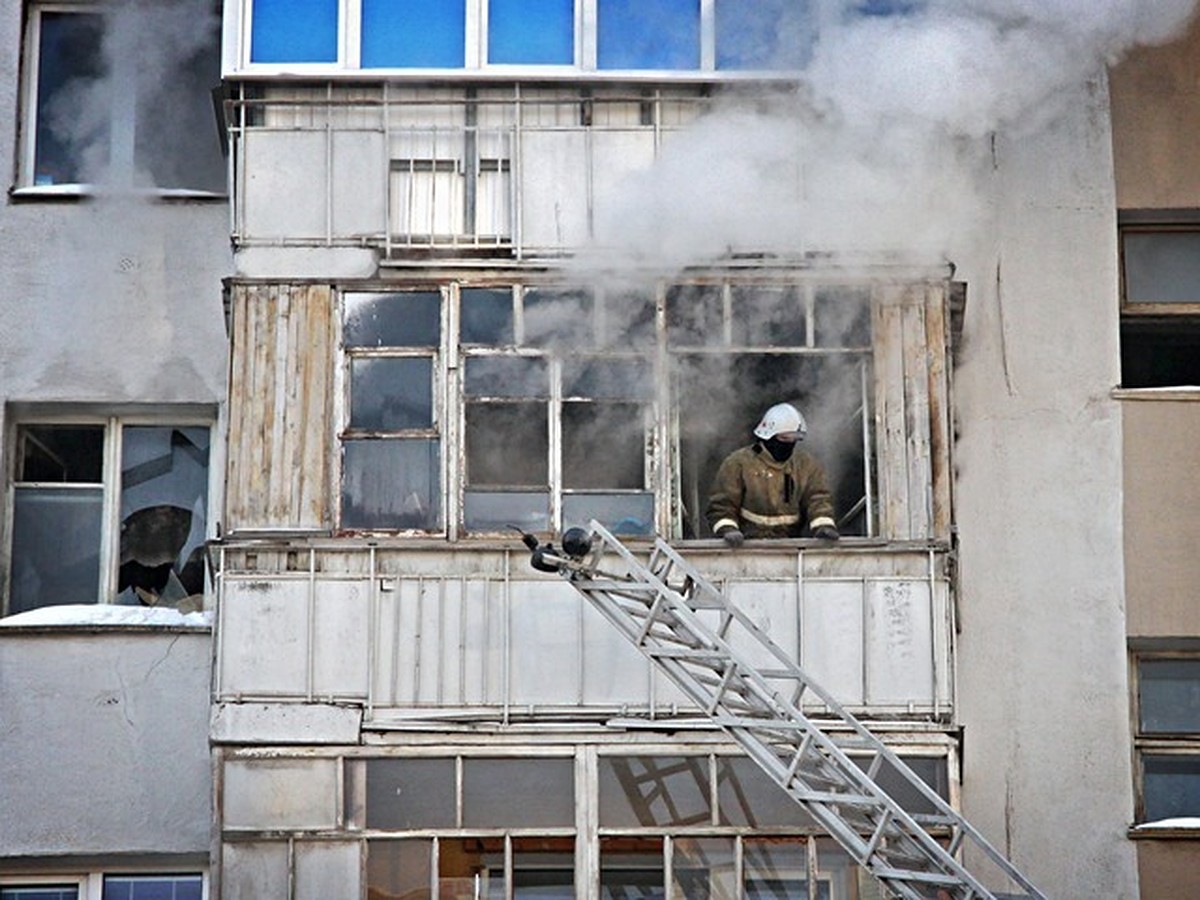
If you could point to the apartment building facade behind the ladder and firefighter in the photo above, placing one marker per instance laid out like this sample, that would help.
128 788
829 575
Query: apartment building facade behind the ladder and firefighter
505 268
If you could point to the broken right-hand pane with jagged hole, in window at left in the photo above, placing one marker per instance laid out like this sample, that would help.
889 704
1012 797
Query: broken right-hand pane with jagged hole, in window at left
165 490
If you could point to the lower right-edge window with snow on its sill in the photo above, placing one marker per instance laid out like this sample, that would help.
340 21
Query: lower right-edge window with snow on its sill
1168 736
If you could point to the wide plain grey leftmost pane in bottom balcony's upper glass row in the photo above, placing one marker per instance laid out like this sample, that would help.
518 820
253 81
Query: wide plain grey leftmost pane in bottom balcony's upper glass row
411 794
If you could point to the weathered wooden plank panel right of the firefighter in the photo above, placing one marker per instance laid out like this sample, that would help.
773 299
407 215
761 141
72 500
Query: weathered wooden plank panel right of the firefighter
913 412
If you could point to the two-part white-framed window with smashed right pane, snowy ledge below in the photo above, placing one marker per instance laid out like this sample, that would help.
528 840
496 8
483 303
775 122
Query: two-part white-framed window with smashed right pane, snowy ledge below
109 512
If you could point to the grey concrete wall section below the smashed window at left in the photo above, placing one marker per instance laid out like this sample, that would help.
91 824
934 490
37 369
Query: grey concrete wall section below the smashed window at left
105 743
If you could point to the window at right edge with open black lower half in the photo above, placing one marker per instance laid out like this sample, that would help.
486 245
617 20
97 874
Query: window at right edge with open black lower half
1161 302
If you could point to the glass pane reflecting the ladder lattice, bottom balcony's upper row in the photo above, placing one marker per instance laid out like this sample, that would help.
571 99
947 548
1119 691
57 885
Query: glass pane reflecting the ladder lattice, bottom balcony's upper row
655 791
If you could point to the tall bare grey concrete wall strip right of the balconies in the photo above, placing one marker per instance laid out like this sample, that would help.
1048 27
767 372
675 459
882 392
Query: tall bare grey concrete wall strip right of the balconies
1043 691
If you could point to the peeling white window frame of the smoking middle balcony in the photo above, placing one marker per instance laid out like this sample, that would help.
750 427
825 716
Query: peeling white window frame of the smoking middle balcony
662 433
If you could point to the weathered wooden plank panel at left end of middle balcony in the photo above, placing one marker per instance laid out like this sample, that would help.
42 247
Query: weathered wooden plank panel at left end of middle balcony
281 409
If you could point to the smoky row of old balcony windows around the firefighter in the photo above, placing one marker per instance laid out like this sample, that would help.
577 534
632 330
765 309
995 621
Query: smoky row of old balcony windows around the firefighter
555 398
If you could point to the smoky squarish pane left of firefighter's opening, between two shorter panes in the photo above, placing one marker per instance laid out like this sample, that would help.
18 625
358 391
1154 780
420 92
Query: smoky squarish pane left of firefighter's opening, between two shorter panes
620 430
